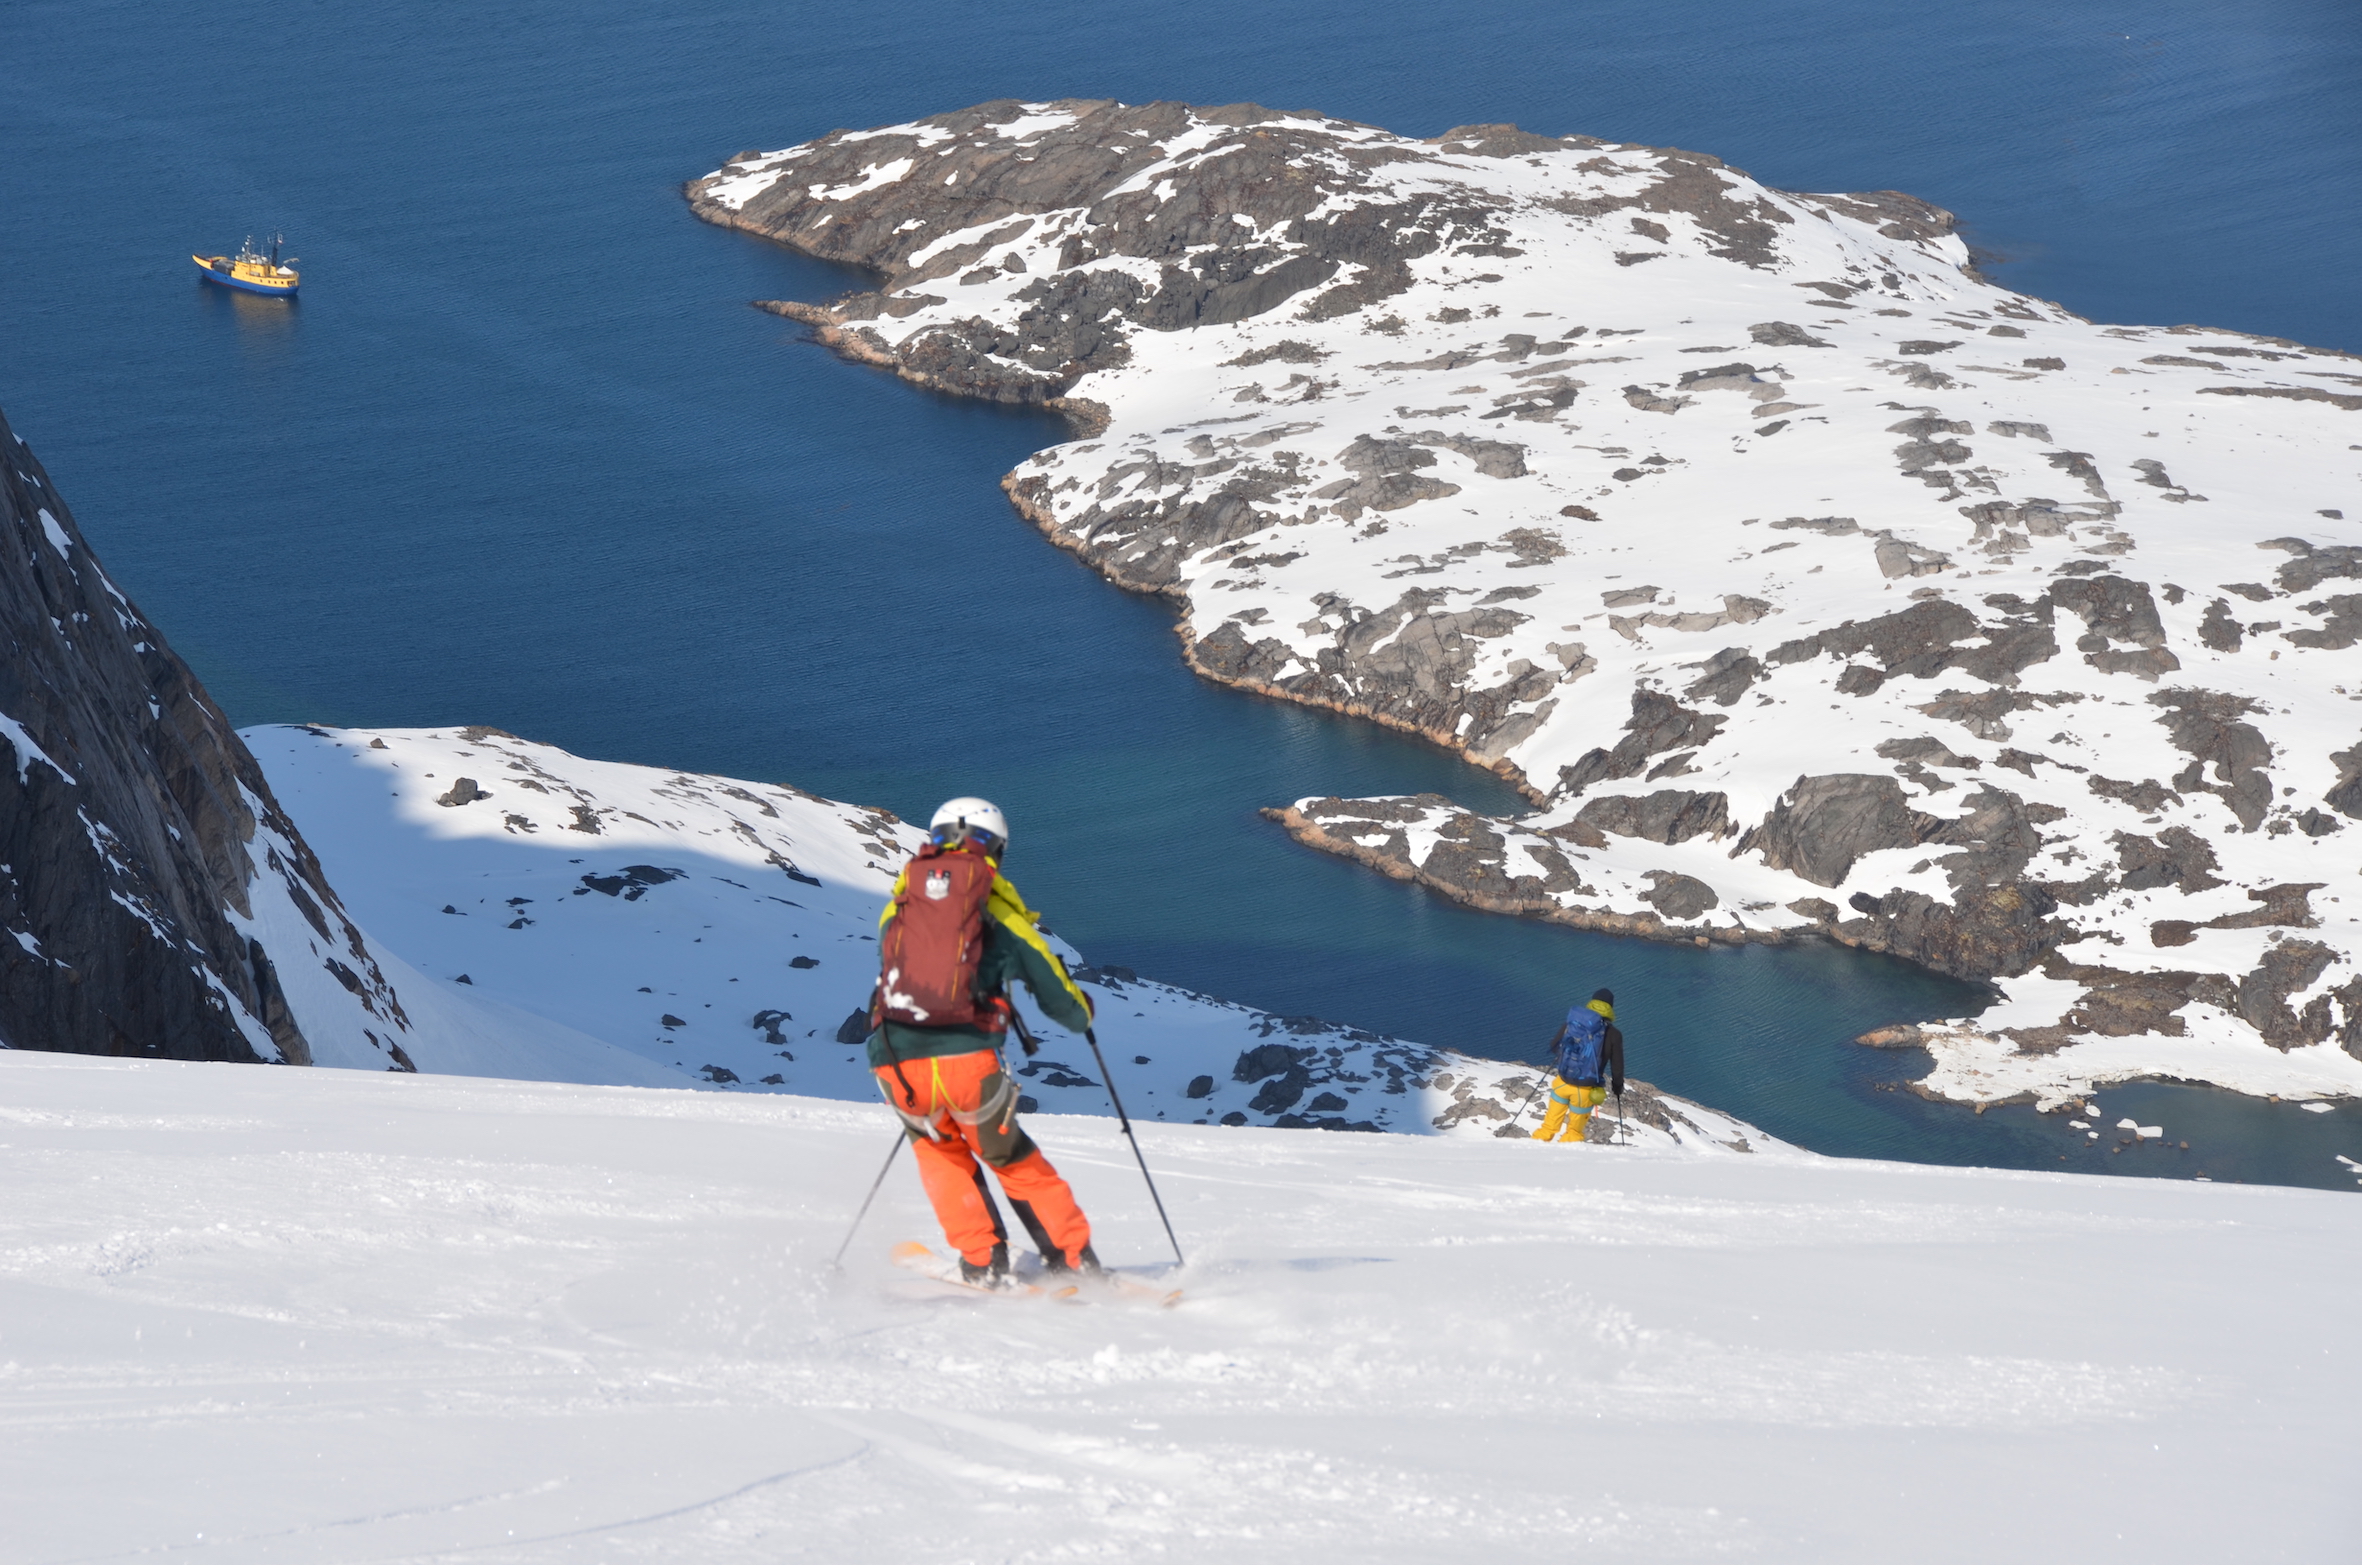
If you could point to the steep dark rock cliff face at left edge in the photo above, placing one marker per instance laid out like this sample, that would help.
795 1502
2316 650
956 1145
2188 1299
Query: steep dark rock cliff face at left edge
141 849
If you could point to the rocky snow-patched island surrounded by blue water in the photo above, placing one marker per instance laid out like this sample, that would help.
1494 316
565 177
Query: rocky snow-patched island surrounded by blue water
1808 582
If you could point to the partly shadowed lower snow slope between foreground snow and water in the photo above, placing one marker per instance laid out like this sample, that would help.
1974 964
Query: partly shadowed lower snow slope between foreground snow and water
594 922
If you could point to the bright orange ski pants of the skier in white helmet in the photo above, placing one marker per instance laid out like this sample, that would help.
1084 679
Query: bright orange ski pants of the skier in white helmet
963 1111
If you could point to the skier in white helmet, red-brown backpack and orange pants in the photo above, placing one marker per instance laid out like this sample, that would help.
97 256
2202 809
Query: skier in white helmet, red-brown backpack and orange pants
951 938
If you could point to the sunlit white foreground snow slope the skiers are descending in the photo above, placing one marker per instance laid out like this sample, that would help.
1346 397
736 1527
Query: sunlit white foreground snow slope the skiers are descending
337 1316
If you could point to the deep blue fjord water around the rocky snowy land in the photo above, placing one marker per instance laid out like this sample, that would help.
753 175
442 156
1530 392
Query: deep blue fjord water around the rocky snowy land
523 457
